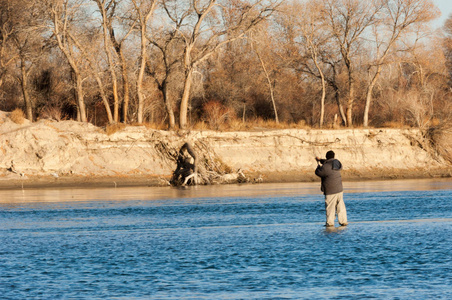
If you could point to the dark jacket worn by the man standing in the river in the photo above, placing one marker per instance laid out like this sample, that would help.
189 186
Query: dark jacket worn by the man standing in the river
330 173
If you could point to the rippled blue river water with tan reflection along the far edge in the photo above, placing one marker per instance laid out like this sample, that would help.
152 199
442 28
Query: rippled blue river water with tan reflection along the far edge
263 241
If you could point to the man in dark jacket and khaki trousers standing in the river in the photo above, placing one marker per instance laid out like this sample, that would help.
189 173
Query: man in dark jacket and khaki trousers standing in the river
329 170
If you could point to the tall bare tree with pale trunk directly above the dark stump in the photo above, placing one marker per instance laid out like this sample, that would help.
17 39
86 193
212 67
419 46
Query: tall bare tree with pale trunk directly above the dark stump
214 24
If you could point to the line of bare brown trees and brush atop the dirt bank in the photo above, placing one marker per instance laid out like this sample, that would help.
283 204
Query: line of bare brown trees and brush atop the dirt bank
181 63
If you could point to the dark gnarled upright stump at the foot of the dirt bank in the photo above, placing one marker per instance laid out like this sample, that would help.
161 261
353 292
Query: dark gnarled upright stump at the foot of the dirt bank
187 166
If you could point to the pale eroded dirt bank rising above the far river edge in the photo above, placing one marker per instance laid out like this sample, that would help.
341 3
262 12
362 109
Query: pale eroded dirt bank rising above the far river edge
69 153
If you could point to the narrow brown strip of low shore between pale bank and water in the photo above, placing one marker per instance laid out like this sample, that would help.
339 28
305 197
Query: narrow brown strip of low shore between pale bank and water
49 182
